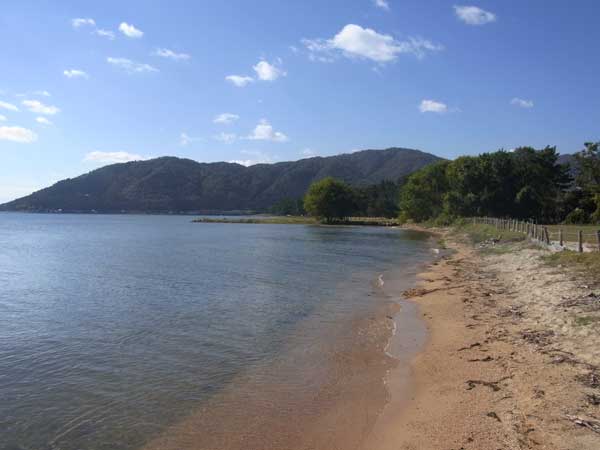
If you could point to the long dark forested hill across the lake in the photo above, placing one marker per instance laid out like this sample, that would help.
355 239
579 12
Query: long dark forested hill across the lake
170 184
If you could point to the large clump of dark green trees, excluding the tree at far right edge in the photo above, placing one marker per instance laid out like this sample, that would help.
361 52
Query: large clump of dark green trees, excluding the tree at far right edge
524 183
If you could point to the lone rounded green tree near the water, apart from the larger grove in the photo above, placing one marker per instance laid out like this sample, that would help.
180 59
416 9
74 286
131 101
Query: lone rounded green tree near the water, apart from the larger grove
330 199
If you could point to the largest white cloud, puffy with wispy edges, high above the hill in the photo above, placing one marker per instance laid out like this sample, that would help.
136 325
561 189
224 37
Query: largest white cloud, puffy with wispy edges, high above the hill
354 41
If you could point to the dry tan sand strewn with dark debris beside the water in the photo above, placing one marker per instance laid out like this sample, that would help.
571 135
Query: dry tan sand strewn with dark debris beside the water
508 364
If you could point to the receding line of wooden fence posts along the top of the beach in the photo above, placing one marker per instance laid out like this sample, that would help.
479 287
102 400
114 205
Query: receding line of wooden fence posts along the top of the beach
540 233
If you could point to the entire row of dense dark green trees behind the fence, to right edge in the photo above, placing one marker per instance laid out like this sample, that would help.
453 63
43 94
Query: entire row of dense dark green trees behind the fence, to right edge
524 183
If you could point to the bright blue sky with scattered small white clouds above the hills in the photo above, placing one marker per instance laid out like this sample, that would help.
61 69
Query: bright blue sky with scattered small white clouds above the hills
86 83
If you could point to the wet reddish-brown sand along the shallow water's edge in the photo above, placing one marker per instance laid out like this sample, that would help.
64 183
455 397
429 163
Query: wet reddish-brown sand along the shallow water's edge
330 404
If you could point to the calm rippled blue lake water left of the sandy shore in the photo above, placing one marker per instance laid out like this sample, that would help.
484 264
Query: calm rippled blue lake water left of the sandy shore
114 328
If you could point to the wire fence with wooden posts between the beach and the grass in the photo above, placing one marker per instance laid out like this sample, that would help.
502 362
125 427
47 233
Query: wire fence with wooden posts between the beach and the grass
572 237
